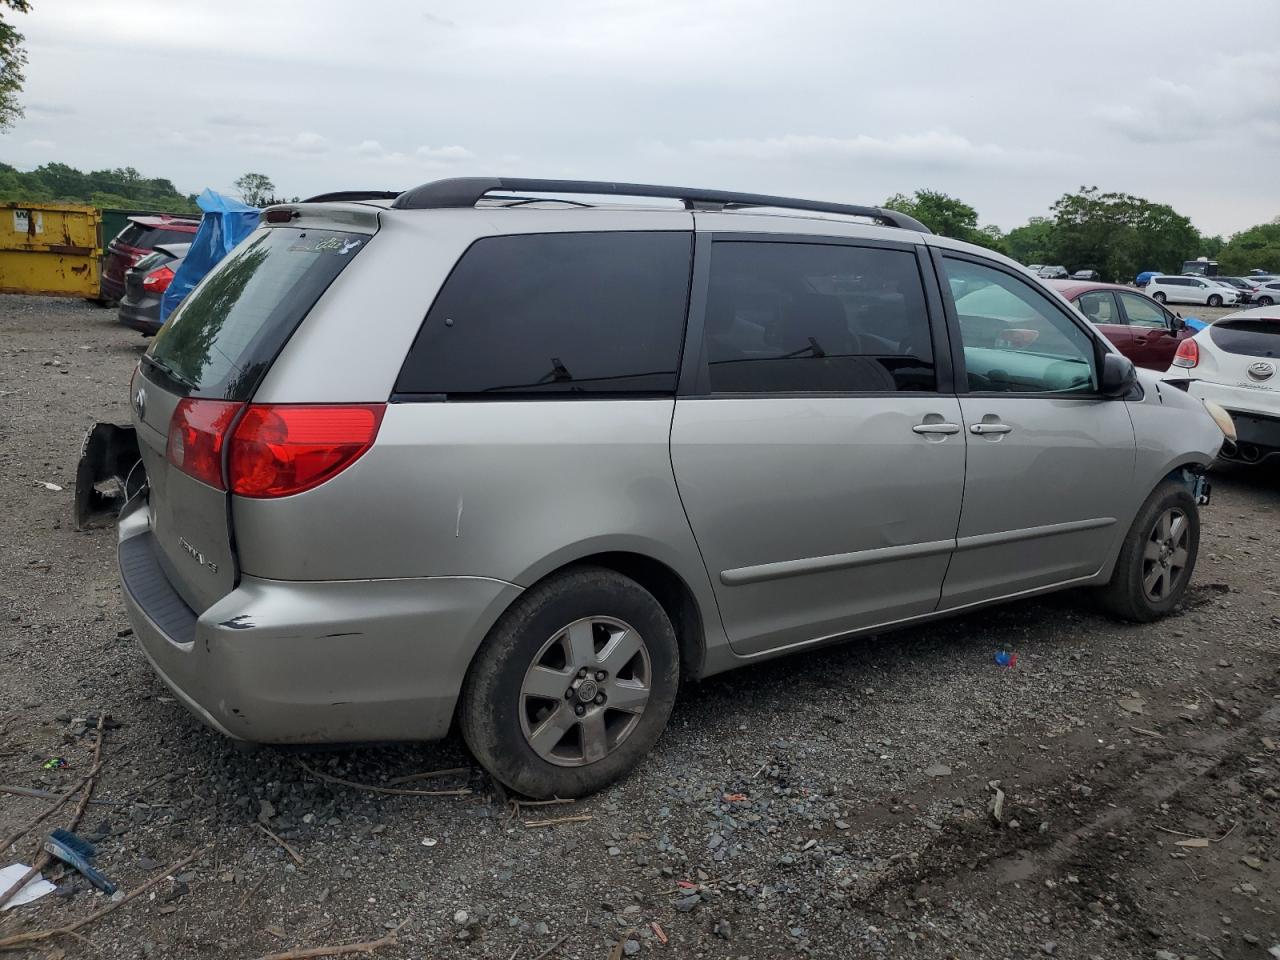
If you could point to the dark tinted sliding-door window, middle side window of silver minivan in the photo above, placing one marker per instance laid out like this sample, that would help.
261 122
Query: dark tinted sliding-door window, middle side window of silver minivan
816 318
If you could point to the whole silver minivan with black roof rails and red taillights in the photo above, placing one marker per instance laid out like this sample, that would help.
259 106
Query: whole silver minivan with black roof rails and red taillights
497 454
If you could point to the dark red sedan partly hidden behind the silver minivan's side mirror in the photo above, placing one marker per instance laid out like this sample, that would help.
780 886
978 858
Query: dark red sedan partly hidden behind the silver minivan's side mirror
1142 330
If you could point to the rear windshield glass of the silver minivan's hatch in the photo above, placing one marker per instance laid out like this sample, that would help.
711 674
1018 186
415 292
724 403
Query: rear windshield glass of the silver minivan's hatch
227 332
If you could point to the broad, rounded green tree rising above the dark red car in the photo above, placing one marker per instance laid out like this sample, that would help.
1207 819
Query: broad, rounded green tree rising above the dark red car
1121 235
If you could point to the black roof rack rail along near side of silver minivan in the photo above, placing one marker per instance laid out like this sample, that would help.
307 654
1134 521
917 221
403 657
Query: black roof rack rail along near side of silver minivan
467 191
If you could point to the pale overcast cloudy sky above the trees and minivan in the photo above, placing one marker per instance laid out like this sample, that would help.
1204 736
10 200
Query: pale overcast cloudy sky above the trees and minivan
1007 104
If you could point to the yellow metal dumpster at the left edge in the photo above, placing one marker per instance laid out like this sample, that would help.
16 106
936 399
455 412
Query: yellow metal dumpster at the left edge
51 250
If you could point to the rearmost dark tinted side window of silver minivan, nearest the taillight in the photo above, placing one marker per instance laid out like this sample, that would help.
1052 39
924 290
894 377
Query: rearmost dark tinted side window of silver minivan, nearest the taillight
578 314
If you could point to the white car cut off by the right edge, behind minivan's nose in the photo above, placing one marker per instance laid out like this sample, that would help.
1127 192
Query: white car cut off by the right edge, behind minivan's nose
1236 363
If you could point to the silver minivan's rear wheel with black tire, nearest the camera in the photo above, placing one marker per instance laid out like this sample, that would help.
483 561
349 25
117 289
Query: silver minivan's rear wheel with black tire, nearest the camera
573 687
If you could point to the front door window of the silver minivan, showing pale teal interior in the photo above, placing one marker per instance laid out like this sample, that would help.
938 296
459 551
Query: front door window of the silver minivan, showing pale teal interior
1016 340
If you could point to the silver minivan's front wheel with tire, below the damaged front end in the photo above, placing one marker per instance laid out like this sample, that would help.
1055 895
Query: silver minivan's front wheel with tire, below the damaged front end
1158 557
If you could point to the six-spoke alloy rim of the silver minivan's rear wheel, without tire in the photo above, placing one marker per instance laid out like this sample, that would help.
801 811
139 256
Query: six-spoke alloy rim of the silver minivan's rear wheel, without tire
586 692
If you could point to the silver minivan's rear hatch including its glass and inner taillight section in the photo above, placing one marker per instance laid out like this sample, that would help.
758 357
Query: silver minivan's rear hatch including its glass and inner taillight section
195 381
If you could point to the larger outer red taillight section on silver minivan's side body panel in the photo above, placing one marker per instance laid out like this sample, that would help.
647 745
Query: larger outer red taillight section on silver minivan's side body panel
280 450
